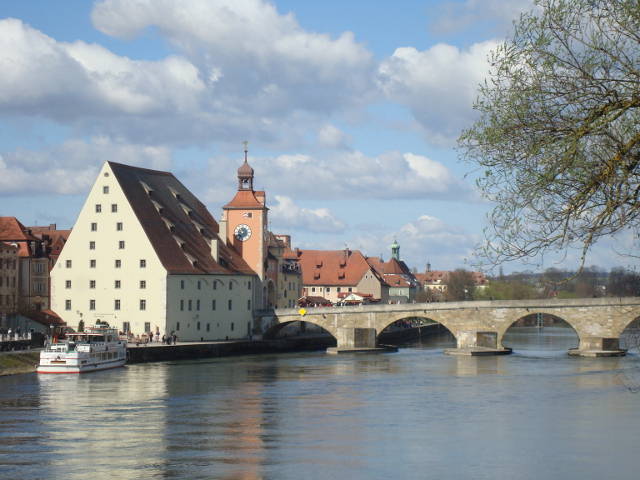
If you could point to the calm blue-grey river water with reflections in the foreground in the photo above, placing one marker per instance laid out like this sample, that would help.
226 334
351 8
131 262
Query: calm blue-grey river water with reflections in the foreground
413 414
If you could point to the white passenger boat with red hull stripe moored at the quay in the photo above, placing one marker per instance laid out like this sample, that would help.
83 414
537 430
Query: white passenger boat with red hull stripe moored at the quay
97 348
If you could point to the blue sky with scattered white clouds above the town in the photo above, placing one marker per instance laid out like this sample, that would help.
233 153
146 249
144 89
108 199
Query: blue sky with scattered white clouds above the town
351 110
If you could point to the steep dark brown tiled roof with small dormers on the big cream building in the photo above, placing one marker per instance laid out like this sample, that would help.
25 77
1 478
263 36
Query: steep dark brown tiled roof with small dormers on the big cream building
191 221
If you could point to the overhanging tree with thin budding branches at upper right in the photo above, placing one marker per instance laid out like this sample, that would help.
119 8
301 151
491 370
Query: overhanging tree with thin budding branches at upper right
557 140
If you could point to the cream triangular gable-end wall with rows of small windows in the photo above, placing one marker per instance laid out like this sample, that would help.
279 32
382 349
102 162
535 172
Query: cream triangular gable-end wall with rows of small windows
105 273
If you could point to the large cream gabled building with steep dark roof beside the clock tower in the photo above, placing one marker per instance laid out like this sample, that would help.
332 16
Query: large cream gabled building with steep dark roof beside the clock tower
144 254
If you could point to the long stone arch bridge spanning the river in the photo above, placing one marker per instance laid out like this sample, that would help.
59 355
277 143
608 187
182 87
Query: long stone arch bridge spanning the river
476 325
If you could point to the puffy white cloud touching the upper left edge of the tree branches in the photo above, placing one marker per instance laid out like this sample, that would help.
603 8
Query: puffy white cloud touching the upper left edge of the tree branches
438 85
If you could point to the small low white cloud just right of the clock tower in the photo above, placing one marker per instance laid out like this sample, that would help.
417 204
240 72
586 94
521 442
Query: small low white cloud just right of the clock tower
287 217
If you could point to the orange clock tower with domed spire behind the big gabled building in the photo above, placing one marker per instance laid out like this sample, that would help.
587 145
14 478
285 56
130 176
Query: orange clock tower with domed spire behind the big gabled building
244 221
